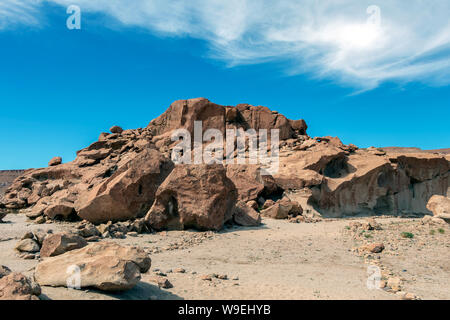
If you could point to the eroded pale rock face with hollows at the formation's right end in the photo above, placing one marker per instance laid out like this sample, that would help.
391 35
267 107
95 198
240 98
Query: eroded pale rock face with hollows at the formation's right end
336 180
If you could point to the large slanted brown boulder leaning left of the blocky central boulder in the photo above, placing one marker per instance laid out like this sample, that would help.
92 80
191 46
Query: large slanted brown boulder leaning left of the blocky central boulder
128 193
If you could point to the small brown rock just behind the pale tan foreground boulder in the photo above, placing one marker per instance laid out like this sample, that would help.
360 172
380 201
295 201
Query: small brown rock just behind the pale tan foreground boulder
60 243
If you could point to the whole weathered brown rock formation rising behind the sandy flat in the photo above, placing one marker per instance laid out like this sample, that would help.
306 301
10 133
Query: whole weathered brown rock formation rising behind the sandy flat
129 174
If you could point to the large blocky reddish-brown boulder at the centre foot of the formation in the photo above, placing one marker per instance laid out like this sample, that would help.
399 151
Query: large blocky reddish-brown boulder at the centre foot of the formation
193 196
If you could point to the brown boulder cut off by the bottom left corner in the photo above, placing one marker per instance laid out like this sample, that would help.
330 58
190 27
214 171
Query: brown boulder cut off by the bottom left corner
16 286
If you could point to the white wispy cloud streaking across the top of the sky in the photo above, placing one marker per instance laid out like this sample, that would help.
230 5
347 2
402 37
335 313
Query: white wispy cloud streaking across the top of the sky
339 40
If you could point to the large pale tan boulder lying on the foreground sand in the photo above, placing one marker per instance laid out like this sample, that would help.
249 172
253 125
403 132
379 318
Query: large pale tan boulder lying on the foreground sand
105 266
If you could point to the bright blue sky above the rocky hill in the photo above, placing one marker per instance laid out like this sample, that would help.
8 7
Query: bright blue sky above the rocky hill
60 88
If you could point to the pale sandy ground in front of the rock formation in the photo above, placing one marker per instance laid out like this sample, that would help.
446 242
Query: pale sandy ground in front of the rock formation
279 260
